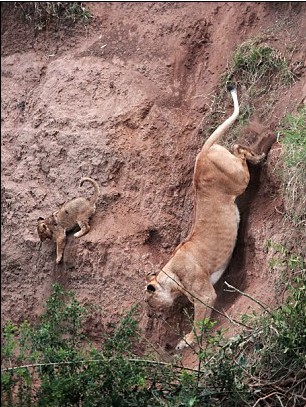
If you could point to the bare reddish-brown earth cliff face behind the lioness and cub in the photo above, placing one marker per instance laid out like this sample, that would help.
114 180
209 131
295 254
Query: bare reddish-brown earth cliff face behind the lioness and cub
122 101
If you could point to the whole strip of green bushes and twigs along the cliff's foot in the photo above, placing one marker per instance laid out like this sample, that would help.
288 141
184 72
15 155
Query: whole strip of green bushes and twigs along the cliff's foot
51 364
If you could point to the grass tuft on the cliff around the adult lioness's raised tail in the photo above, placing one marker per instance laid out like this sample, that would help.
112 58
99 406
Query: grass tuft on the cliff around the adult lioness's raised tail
258 71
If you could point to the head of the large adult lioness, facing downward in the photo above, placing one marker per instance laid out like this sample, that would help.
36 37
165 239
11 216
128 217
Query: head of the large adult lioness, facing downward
158 296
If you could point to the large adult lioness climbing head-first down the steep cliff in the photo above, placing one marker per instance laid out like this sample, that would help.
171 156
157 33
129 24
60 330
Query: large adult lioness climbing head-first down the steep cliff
198 262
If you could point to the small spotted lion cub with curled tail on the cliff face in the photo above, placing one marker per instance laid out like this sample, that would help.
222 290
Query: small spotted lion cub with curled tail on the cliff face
76 212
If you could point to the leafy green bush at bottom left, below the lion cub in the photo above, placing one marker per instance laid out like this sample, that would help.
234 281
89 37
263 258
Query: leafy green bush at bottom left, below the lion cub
52 364
